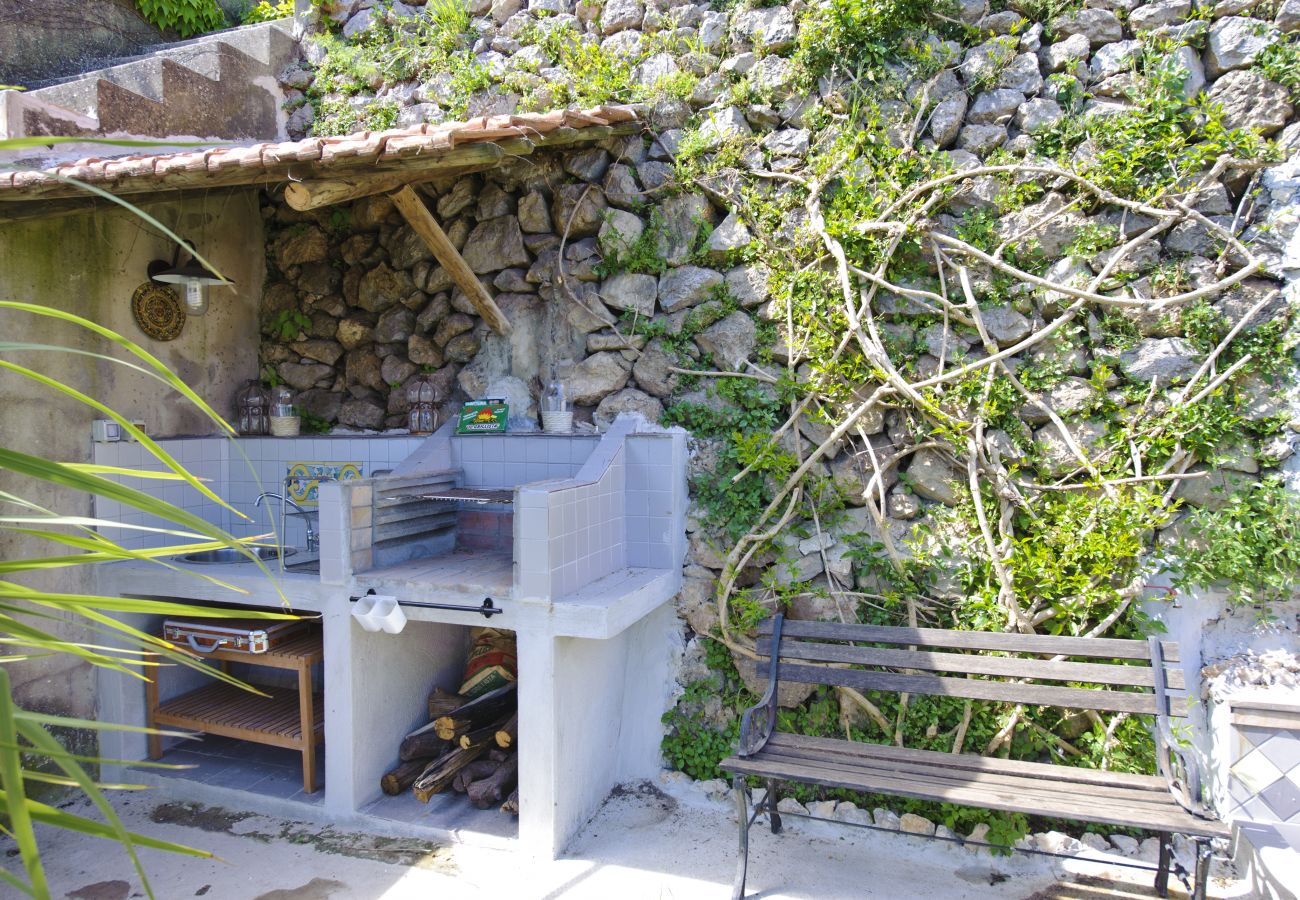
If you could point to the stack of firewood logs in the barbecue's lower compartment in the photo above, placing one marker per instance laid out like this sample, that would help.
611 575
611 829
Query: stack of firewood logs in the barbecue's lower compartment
469 746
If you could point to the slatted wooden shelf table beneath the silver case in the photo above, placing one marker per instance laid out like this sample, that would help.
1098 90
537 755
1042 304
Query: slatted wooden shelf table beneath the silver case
294 720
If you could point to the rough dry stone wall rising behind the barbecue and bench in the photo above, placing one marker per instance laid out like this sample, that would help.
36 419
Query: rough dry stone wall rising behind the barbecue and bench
627 265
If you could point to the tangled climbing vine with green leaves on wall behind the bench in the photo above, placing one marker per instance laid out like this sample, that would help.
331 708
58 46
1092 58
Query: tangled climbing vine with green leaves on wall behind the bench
878 249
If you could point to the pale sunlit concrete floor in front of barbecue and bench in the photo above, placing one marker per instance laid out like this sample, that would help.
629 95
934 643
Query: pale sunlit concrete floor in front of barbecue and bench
651 841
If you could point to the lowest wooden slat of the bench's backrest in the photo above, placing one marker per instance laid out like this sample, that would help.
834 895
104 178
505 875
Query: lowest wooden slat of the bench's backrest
1037 695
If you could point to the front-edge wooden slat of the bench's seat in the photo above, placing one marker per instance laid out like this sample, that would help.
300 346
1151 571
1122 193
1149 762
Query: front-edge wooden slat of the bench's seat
1173 819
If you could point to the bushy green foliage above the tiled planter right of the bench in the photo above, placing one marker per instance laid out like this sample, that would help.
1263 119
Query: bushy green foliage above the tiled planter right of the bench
1251 546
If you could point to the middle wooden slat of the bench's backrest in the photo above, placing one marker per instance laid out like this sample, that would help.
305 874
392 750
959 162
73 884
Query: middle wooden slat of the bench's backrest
1029 668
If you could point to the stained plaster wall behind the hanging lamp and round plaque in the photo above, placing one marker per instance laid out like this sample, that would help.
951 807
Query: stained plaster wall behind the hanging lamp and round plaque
90 265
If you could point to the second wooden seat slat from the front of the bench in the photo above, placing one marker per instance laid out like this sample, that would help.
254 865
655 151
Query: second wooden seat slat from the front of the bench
938 771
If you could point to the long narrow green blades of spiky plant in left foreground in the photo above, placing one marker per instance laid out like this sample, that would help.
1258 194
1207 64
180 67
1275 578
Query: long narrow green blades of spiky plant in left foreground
72 540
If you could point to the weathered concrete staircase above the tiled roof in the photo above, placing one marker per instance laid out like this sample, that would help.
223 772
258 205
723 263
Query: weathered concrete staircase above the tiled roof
222 86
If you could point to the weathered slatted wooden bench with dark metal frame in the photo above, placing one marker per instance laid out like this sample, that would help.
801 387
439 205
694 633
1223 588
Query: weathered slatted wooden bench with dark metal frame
1033 670
